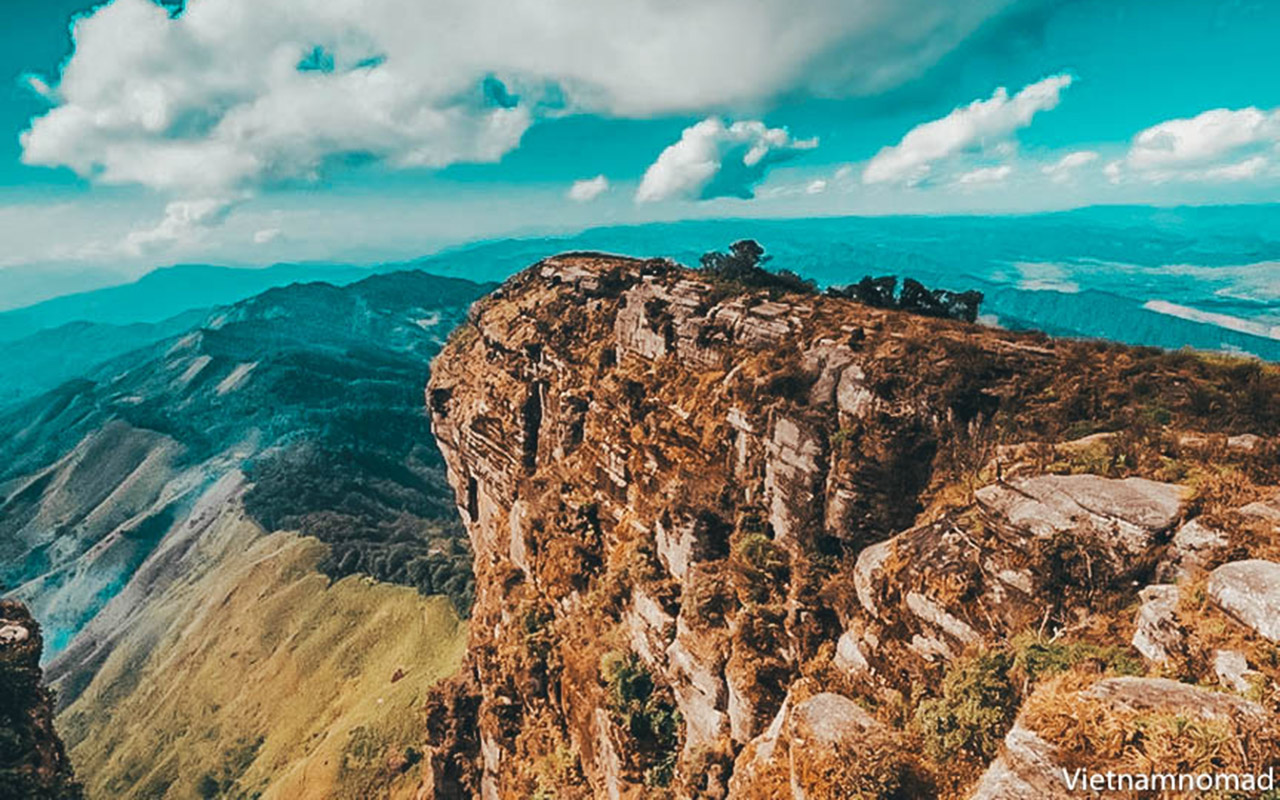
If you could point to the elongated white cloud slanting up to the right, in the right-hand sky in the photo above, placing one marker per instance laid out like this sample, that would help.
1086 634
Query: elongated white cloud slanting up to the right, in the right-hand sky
979 125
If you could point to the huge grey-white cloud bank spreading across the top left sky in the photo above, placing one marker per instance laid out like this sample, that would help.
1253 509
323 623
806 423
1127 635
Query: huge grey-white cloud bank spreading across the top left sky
231 97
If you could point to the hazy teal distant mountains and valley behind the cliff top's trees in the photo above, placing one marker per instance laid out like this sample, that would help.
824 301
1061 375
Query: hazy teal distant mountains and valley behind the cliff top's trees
1095 273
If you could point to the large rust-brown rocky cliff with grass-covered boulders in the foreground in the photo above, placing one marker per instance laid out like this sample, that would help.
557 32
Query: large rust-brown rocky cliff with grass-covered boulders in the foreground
711 523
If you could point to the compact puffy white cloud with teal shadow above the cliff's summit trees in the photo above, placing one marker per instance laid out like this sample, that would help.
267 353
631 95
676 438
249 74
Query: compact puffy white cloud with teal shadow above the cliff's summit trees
717 161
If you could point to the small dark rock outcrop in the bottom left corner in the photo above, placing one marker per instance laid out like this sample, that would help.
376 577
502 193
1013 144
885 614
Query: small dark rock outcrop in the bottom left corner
33 762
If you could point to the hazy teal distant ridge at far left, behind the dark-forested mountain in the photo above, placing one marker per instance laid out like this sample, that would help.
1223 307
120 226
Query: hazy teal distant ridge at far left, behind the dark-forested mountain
166 294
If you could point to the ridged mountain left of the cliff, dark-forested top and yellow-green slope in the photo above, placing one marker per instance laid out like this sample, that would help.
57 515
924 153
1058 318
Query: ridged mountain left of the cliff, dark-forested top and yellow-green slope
243 547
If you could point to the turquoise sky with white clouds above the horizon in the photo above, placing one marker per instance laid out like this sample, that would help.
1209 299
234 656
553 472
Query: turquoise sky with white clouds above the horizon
135 134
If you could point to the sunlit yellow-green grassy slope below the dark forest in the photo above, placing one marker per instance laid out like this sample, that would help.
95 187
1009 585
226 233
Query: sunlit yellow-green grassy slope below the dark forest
259 678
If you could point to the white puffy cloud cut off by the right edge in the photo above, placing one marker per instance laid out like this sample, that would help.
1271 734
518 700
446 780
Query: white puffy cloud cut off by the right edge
1215 145
